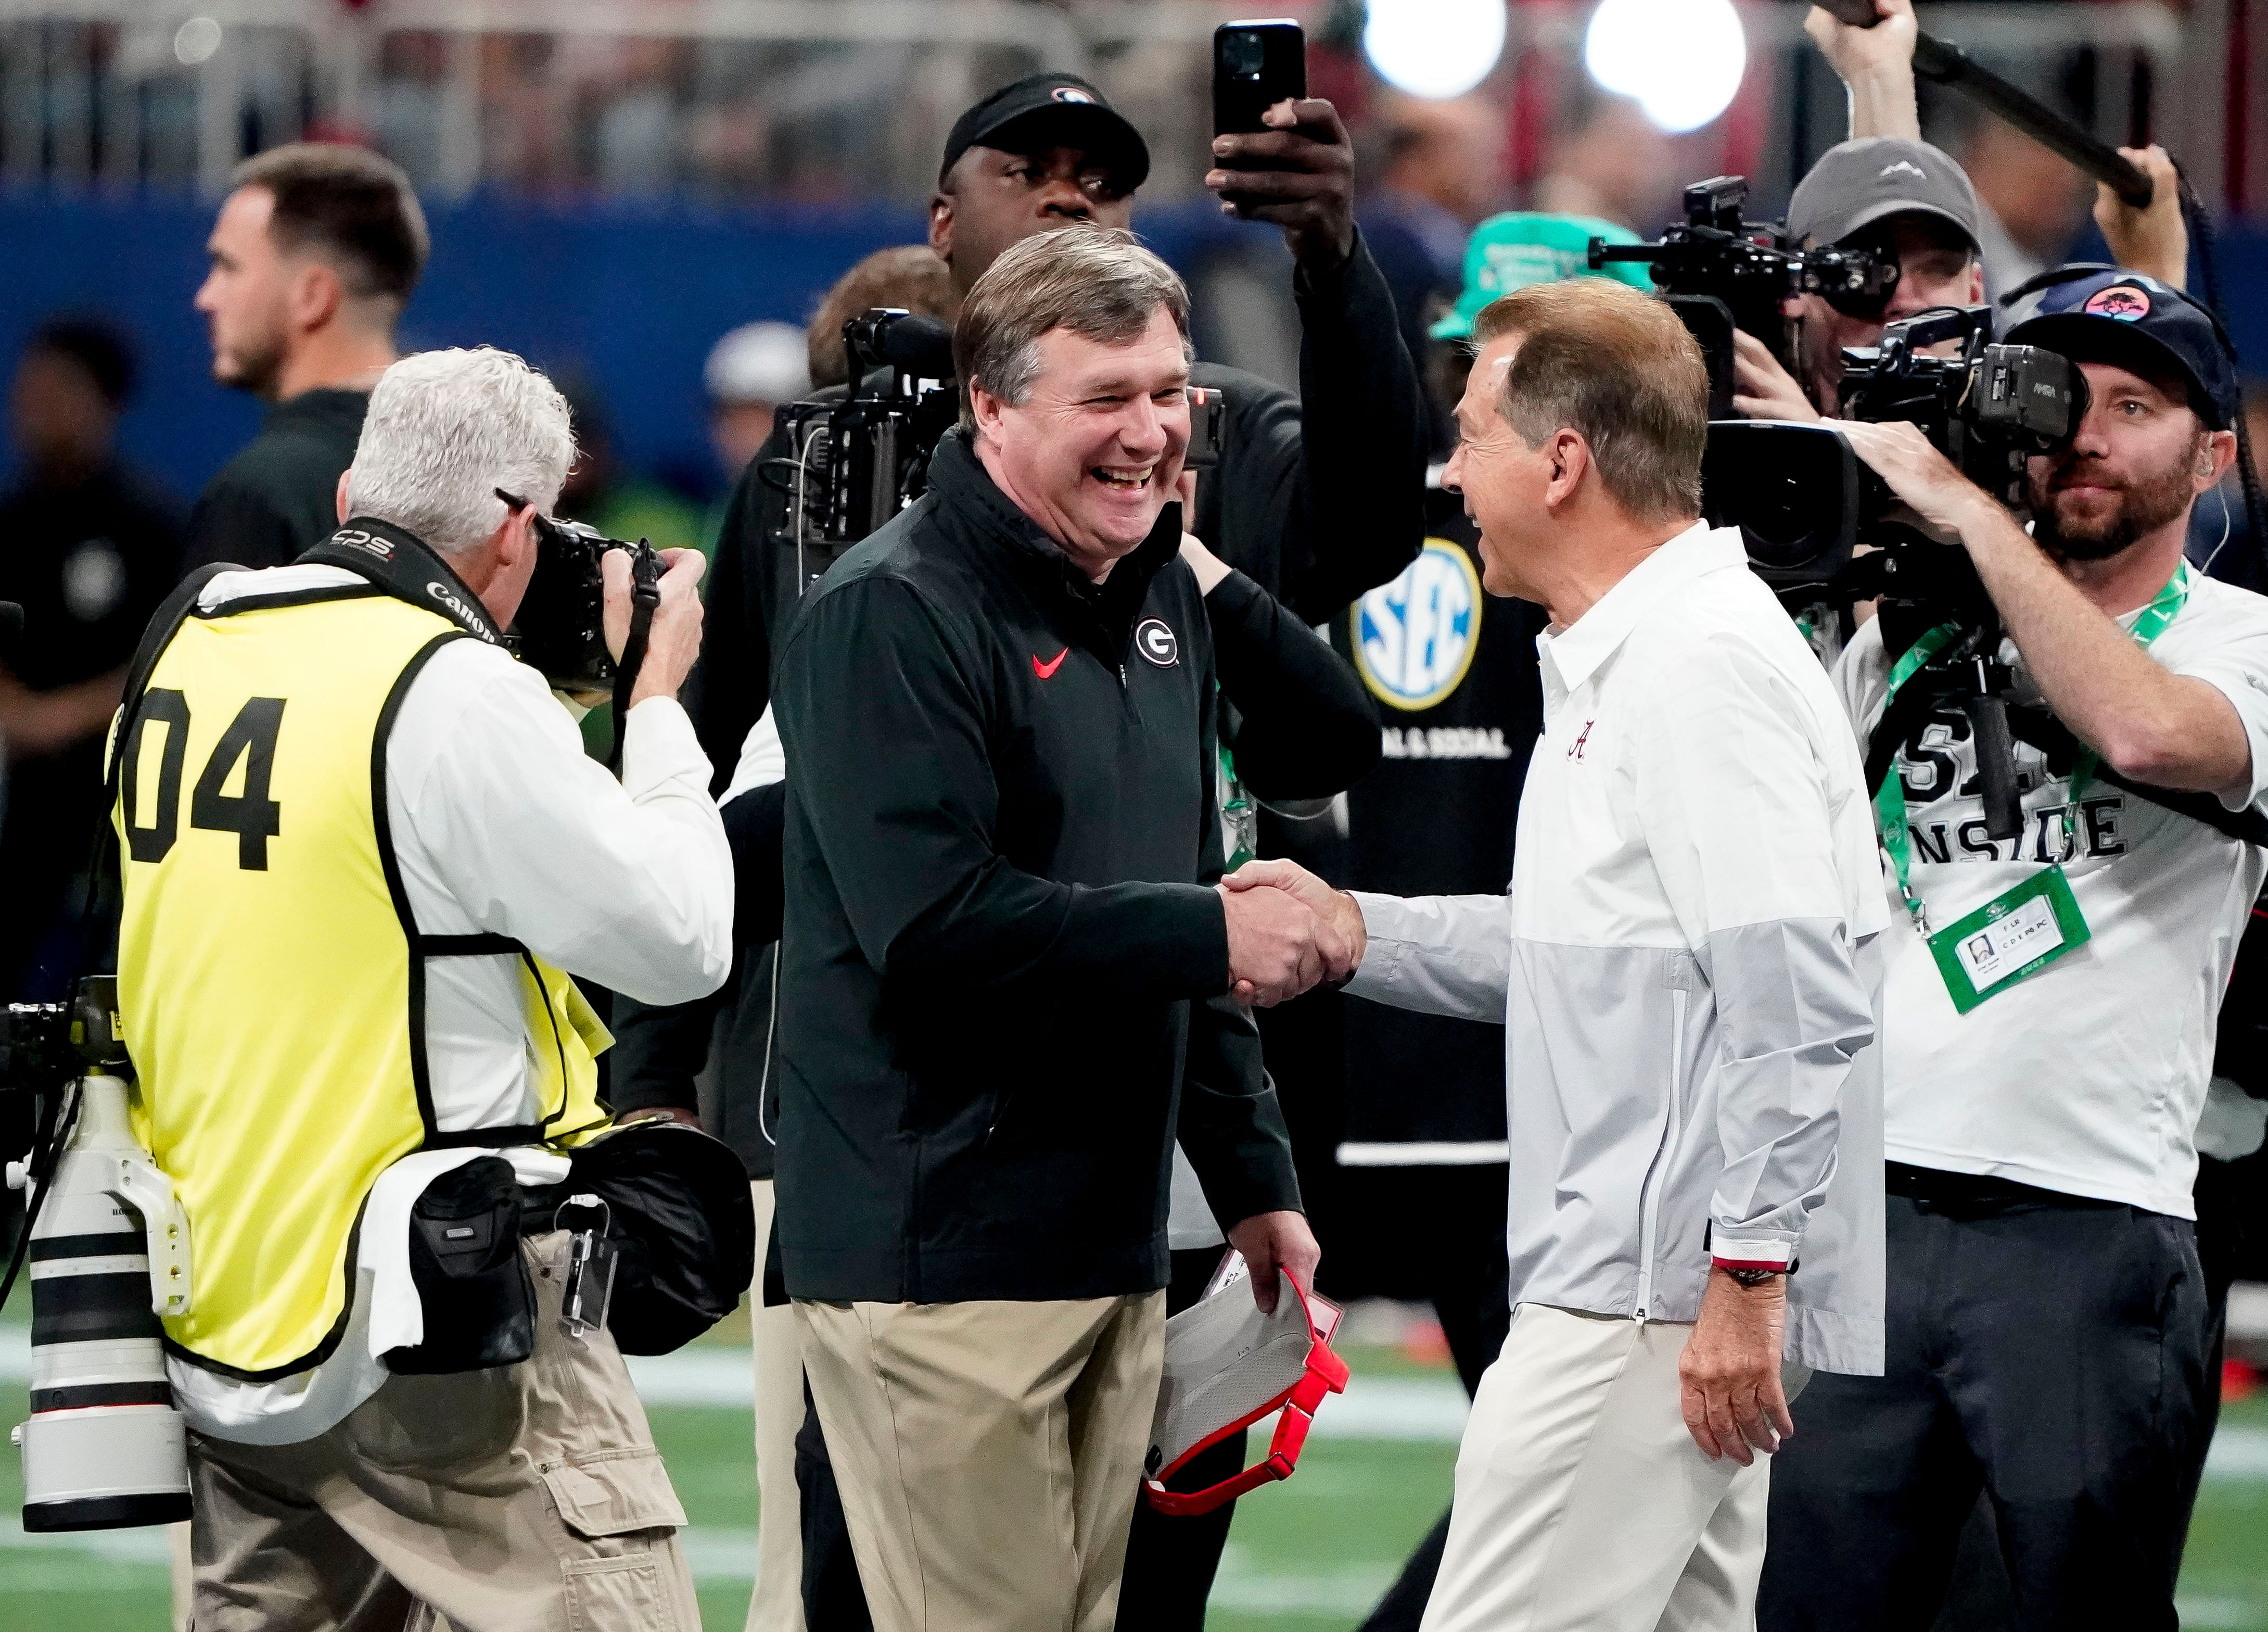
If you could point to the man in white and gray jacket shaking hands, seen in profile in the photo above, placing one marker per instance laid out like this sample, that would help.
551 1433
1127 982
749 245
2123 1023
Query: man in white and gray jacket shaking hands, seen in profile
1684 968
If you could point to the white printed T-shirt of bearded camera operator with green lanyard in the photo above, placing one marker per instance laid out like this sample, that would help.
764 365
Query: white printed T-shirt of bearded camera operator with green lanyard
2090 1075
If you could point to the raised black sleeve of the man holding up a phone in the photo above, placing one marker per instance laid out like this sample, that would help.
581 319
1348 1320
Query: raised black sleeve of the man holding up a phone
1323 498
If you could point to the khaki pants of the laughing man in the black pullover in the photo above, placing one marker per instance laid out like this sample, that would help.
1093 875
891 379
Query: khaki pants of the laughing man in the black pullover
988 1454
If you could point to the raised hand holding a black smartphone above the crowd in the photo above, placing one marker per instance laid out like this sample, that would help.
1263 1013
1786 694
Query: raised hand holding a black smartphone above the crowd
1278 153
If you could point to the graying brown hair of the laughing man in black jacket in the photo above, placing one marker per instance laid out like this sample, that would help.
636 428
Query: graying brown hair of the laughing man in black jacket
1099 283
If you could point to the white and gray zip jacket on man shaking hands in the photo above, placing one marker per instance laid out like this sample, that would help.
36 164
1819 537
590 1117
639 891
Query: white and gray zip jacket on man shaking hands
1686 966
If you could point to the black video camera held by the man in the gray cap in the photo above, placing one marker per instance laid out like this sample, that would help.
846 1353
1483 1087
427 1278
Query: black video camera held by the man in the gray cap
1723 274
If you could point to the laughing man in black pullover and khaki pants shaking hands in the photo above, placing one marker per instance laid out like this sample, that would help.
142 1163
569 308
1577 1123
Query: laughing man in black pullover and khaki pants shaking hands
1008 966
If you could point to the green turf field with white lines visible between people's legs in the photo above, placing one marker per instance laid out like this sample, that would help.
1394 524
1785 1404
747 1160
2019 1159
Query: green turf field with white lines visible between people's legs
1308 1556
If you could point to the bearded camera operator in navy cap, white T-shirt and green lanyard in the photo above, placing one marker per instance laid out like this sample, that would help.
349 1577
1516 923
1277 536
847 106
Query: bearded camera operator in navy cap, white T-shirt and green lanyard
2047 1315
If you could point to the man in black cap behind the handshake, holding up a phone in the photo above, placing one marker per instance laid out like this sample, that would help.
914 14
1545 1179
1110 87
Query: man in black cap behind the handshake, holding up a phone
1319 496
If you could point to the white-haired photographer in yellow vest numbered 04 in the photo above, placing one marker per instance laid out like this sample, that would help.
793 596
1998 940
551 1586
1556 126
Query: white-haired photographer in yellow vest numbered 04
348 991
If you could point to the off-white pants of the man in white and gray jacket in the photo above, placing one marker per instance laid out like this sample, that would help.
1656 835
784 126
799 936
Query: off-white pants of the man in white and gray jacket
1584 1504
